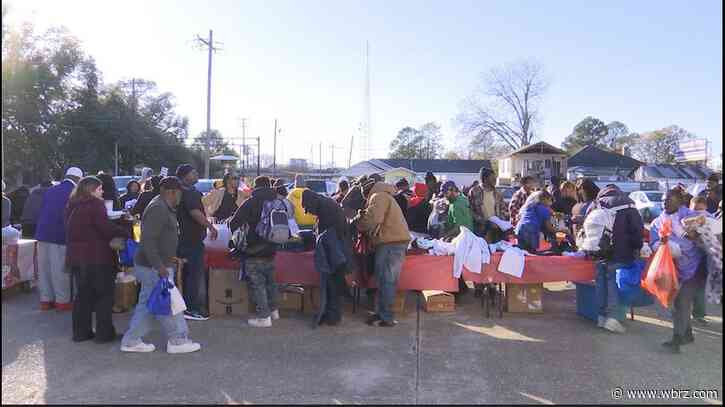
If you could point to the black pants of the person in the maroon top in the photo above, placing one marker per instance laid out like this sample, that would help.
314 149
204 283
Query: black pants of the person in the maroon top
95 294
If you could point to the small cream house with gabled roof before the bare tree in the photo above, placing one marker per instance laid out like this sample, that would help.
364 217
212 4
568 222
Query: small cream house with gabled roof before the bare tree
540 160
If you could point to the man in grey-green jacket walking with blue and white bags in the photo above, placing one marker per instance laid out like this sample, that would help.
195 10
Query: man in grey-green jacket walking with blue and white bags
154 260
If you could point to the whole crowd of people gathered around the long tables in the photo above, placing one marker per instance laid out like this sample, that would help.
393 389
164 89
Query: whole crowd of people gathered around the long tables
366 225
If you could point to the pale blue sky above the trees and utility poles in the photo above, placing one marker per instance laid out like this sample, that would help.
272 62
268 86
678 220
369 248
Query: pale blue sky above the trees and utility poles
648 64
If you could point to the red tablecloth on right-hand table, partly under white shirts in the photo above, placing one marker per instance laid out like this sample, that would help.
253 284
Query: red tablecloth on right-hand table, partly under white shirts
537 269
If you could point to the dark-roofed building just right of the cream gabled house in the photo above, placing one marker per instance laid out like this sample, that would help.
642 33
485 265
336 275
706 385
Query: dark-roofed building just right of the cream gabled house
599 164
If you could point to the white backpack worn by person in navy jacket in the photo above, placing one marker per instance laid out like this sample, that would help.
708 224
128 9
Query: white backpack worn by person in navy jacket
596 237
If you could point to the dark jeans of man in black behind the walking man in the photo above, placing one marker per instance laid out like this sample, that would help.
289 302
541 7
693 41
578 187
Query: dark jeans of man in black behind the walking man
194 276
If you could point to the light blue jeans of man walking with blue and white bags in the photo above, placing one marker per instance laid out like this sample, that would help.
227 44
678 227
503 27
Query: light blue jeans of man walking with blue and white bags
174 325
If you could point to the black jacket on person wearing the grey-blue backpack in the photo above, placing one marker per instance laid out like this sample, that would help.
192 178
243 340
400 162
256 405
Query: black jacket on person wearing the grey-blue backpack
249 214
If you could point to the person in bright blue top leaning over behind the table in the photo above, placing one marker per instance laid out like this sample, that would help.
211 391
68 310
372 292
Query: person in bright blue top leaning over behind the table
534 218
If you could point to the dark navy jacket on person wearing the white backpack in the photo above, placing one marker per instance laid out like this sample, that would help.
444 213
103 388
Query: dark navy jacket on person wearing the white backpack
628 225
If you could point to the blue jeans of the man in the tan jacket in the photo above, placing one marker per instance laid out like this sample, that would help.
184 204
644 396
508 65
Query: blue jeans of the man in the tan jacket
388 264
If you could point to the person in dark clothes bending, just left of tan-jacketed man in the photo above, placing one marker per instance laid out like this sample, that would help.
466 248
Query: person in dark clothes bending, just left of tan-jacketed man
335 240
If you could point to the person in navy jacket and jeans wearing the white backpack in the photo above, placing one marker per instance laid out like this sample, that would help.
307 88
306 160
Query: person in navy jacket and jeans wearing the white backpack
628 236
